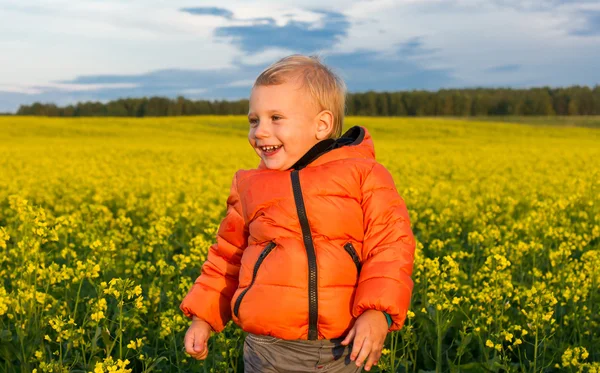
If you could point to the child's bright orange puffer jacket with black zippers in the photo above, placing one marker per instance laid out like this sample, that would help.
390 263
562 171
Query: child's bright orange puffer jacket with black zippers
301 253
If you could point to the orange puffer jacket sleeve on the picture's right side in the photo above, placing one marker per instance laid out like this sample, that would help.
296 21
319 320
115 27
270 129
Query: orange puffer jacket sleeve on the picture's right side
385 282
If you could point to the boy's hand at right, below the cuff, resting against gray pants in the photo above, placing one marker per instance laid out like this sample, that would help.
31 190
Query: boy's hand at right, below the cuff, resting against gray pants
369 332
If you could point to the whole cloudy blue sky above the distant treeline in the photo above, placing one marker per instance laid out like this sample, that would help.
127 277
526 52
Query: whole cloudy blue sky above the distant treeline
68 51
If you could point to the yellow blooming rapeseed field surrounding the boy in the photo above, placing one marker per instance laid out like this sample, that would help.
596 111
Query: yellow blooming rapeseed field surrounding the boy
104 224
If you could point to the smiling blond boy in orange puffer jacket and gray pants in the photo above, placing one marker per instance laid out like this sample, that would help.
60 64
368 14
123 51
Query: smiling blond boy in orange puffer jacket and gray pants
315 252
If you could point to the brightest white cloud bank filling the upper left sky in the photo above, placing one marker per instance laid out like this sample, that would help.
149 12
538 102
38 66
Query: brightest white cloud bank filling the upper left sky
64 40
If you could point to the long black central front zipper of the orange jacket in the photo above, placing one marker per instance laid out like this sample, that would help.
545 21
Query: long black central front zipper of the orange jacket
313 306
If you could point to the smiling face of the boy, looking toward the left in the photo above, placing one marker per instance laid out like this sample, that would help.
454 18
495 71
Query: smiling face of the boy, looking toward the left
284 118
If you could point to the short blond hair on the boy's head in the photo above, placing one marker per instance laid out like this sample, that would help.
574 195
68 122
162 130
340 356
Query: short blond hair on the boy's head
326 88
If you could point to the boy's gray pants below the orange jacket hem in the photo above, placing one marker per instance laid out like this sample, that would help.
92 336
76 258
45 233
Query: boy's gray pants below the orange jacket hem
266 354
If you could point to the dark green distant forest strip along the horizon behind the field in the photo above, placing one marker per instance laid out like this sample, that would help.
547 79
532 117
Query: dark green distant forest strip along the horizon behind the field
575 100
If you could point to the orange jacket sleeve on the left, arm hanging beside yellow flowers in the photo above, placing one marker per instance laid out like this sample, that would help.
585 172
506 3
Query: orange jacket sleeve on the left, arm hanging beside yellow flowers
210 295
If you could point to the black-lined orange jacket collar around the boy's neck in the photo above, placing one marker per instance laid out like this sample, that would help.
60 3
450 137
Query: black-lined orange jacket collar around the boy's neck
355 142
